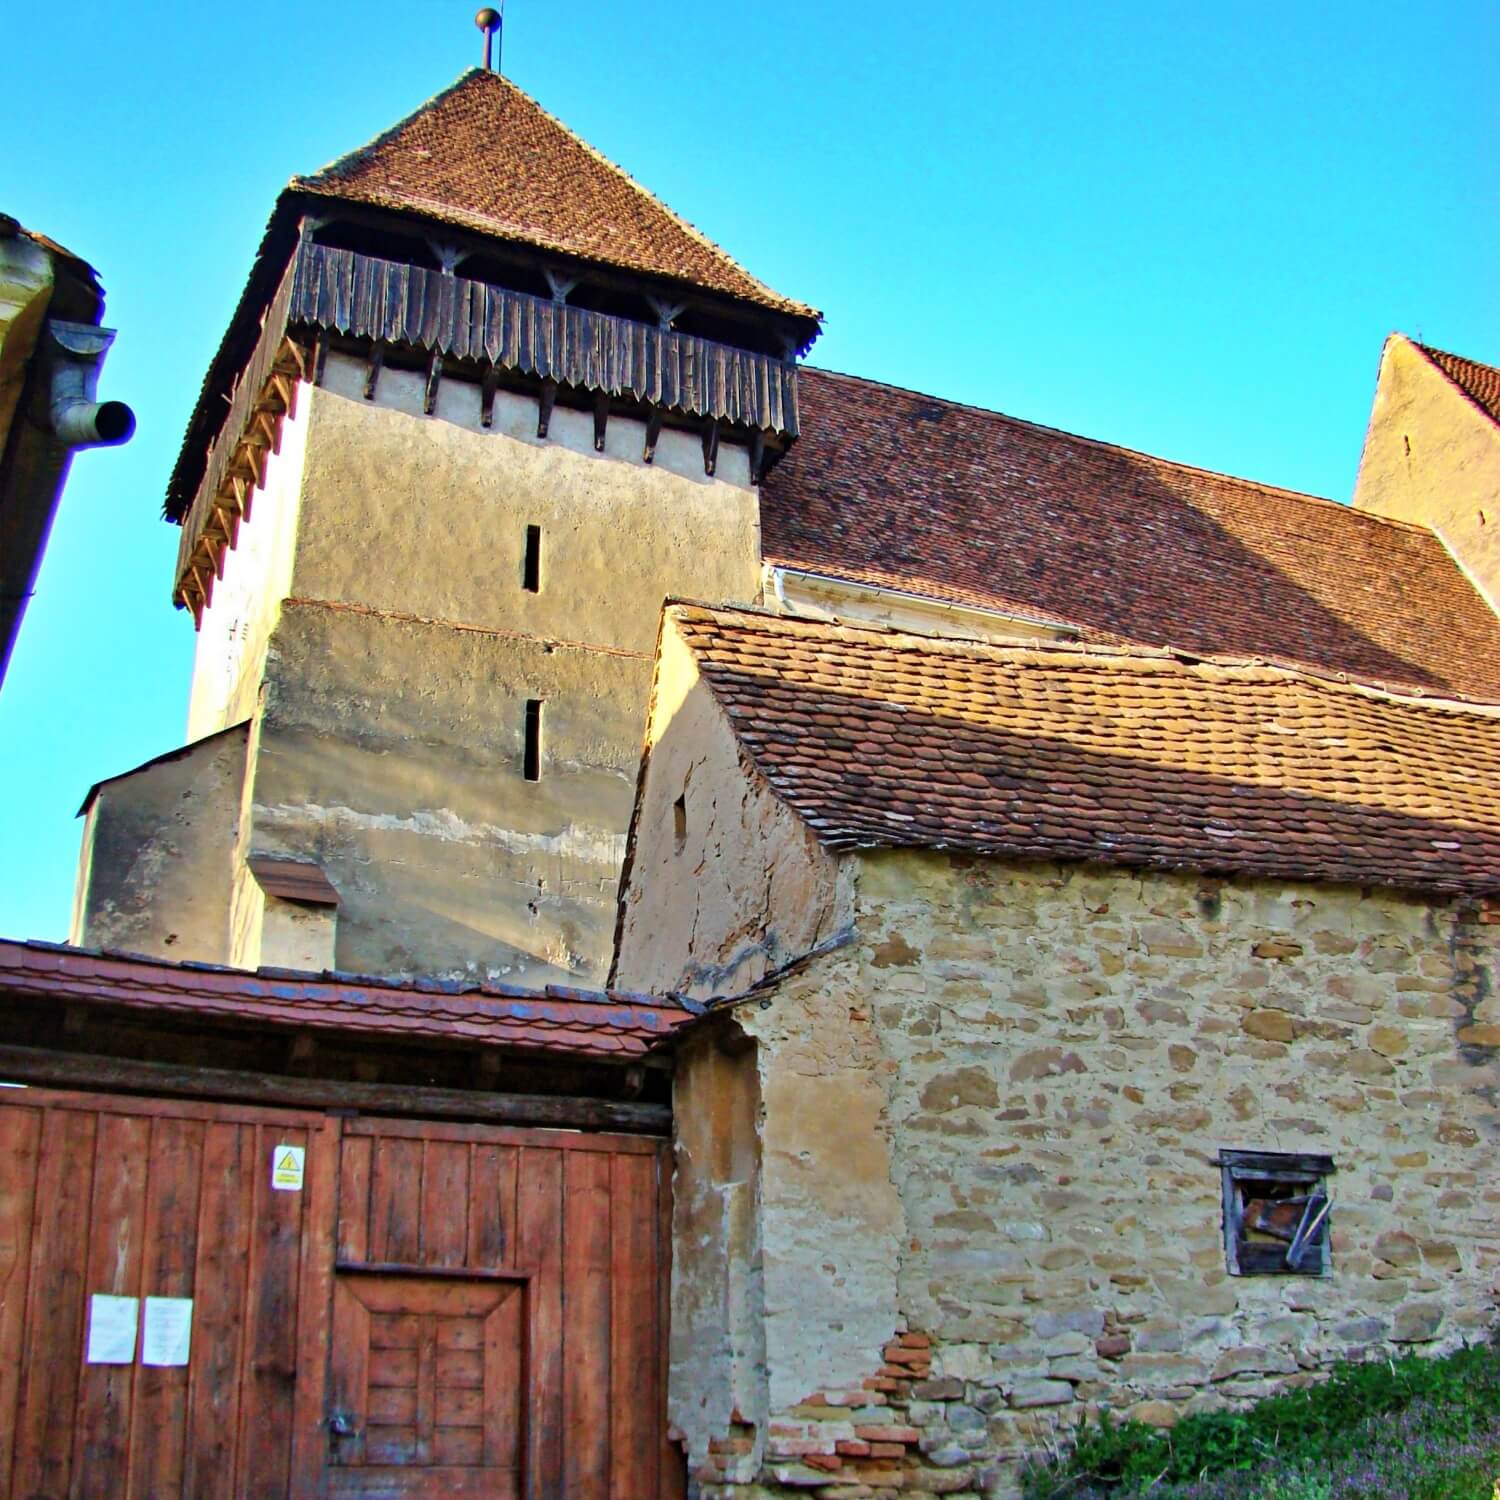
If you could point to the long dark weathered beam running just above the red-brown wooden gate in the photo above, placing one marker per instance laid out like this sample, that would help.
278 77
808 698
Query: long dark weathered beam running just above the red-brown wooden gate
88 1072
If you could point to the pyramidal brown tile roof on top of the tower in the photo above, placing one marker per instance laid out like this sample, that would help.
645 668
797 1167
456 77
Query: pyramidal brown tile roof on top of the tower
487 157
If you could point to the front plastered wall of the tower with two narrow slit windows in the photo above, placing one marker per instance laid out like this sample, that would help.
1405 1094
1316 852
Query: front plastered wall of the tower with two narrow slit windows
392 718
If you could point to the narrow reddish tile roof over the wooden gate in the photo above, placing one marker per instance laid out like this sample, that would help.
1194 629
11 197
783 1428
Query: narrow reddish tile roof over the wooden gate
581 1024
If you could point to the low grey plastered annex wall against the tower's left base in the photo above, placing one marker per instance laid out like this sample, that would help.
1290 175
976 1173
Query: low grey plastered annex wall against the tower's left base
154 875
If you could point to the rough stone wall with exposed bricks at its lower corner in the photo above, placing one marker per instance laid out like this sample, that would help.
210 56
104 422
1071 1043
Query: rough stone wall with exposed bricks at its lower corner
1060 1054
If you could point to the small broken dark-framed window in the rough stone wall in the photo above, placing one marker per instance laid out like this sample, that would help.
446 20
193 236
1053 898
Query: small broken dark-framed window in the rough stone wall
1277 1213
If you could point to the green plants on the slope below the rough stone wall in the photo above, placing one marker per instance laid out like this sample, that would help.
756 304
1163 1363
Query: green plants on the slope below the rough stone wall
1382 1430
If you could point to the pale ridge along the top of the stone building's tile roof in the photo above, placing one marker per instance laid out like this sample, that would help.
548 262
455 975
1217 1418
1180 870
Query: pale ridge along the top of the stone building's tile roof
1127 656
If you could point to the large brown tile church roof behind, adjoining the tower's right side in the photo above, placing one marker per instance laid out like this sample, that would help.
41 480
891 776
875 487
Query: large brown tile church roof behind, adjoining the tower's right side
899 490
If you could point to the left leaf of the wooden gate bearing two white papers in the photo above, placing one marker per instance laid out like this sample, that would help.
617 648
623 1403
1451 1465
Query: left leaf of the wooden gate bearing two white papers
149 1199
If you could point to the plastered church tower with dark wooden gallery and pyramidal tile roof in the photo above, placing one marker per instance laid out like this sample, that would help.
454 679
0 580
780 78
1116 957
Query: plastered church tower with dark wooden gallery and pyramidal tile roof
484 406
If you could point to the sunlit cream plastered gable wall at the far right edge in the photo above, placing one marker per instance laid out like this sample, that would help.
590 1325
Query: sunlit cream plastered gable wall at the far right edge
1433 458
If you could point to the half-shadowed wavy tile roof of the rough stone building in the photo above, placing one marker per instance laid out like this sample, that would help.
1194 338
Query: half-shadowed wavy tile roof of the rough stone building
1121 757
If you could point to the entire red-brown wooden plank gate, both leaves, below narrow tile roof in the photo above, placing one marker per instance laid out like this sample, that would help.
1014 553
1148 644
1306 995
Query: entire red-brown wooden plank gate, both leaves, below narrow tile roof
431 1310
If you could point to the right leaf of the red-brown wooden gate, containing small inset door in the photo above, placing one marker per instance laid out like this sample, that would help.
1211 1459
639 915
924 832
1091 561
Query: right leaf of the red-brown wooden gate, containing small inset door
499 1316
